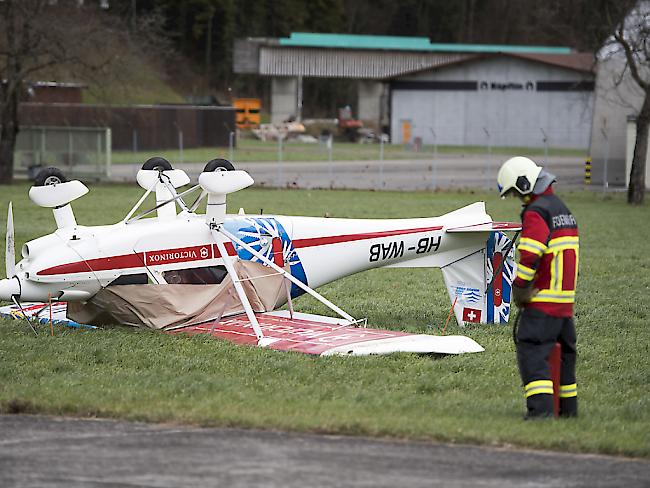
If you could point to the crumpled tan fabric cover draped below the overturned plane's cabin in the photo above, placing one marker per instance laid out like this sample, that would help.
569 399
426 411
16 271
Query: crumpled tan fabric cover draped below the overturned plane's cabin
167 306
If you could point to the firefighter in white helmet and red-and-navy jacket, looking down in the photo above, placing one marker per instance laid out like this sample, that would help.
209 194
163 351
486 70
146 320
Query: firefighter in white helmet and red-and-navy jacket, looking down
544 288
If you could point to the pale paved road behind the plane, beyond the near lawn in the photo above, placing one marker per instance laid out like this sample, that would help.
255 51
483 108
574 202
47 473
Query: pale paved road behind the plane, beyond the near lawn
446 171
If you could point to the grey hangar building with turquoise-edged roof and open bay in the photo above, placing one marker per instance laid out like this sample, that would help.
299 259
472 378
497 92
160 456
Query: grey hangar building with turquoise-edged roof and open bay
455 94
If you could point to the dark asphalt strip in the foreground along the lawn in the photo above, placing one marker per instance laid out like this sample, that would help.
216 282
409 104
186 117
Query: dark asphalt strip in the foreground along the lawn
40 451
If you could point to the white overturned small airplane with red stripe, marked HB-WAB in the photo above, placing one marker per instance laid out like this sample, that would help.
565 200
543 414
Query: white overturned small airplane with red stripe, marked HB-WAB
146 269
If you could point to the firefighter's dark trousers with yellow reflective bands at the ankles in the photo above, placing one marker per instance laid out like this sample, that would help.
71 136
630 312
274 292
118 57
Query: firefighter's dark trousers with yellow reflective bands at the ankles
537 333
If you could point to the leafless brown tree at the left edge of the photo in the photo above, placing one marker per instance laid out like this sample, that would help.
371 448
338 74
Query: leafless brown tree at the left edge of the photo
64 38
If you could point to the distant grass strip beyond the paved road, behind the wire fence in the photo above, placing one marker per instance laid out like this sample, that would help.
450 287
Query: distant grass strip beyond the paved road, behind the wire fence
249 150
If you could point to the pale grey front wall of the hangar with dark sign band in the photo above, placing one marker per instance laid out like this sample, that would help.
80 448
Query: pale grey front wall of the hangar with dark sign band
511 117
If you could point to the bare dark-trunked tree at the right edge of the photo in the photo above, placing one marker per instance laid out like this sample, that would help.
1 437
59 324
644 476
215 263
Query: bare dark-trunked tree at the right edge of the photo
632 38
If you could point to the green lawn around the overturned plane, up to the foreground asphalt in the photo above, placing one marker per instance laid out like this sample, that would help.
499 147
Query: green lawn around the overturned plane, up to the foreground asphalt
143 375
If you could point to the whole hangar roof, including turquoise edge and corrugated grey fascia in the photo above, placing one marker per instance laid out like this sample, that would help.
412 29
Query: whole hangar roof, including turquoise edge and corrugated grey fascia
380 57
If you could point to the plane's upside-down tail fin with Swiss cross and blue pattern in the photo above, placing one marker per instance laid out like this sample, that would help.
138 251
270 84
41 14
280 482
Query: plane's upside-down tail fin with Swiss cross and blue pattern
480 285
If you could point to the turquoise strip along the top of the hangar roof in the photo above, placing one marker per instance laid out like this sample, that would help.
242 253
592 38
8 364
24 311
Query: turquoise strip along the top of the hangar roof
401 43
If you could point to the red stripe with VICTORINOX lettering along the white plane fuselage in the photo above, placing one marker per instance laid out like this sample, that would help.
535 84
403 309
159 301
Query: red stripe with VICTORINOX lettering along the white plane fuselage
136 260
